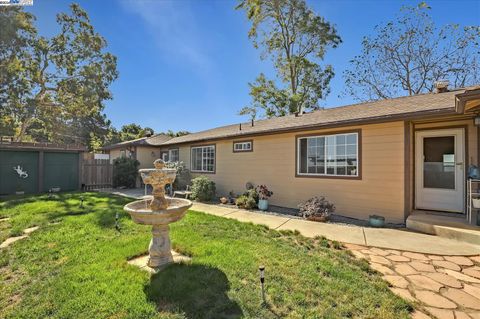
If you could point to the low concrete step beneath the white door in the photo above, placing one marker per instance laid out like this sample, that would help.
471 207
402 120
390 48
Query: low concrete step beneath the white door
444 226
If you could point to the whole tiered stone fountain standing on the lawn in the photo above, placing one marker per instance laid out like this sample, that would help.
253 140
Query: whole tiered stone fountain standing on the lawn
158 212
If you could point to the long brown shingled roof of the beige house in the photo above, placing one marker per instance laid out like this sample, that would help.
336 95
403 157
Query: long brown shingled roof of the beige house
384 110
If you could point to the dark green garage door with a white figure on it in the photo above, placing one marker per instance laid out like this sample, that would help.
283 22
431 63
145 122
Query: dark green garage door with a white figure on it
18 172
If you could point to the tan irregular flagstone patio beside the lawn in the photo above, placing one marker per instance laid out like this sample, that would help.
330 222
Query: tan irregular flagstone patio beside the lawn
443 286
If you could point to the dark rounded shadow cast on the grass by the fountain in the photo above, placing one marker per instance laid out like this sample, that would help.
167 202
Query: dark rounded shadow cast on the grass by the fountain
197 290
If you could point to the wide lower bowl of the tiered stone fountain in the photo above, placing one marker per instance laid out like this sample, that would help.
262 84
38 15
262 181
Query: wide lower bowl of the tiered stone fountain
142 214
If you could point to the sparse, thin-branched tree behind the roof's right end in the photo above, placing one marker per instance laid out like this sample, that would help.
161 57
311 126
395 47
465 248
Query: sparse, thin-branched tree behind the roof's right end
407 56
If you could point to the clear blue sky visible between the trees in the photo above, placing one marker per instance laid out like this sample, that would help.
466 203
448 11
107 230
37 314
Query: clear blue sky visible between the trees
185 65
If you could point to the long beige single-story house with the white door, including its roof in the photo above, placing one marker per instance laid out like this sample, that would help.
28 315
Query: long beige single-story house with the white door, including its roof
391 157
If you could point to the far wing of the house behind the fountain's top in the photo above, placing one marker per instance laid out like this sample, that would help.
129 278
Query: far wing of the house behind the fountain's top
145 149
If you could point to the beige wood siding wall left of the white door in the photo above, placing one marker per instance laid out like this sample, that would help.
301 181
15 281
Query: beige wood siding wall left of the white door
380 191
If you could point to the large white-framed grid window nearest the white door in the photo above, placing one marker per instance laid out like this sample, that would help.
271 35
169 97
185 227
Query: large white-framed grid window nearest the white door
328 155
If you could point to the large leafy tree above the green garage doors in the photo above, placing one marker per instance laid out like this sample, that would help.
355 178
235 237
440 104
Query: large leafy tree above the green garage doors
54 86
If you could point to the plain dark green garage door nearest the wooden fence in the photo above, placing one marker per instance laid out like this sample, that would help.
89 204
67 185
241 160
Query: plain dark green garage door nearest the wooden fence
60 170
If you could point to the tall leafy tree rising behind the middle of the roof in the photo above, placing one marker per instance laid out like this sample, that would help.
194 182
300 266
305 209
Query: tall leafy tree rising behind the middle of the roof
296 39
